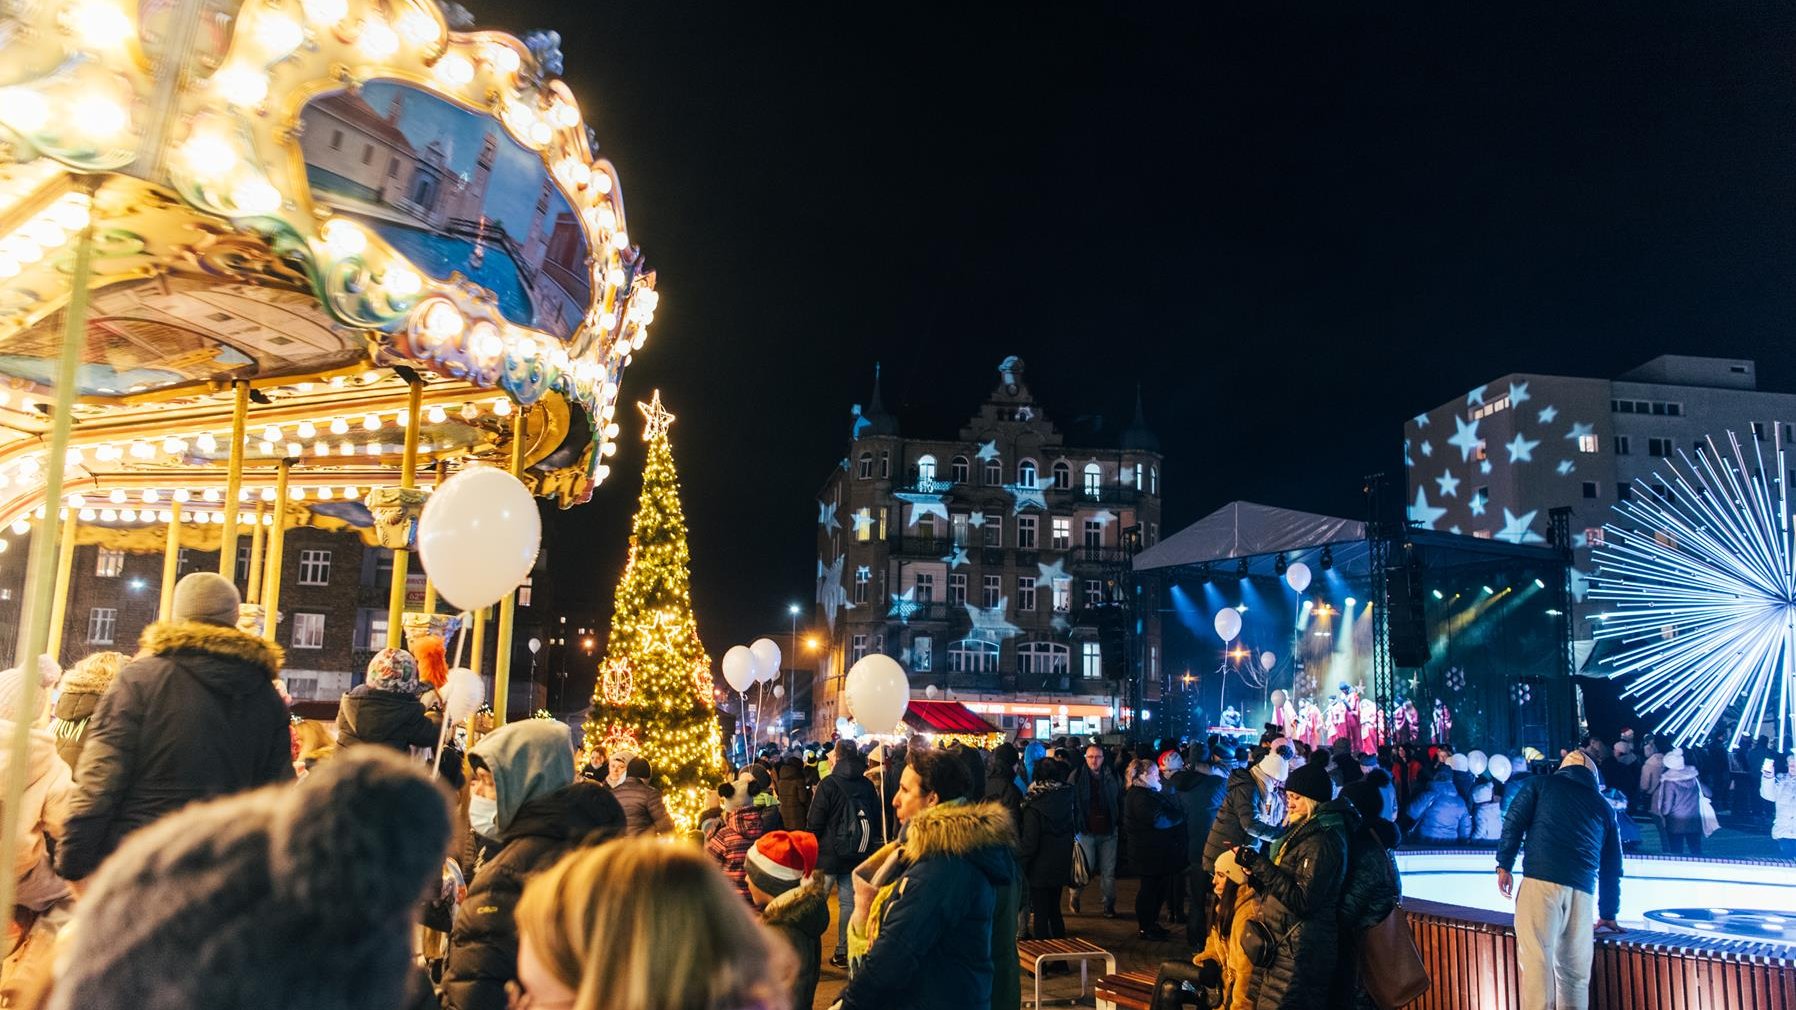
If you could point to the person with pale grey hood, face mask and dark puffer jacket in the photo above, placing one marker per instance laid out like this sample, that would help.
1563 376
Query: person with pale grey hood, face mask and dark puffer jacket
524 797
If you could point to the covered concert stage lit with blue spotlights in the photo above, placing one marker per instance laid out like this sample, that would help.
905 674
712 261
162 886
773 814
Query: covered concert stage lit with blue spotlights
1265 601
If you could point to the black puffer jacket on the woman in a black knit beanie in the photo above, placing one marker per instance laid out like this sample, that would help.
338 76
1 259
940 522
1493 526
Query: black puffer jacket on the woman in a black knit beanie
1301 892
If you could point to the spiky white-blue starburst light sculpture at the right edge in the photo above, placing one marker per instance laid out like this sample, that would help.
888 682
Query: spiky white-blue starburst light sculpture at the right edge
1698 571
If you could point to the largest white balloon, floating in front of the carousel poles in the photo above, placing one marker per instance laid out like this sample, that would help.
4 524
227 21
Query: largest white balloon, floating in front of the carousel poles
479 536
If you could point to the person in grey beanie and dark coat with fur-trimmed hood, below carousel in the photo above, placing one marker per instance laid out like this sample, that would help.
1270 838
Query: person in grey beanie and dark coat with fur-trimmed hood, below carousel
191 718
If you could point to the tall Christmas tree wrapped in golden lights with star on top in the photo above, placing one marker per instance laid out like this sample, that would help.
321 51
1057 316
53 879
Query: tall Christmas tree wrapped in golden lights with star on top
655 687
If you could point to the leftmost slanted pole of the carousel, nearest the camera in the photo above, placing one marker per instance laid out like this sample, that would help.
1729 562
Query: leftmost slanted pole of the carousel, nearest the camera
35 619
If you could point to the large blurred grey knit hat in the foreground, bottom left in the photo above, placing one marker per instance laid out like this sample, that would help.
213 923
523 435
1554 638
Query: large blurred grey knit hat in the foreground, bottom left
292 898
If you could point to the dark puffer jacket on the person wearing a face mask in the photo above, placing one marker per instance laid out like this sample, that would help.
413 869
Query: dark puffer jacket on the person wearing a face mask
484 943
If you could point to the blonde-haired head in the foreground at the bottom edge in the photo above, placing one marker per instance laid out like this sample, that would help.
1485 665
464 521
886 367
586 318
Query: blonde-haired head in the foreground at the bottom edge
647 926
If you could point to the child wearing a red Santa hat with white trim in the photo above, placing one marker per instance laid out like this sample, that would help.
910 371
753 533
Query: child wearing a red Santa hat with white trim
795 901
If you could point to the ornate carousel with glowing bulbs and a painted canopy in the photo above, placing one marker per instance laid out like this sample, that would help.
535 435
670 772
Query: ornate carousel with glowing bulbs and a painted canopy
294 263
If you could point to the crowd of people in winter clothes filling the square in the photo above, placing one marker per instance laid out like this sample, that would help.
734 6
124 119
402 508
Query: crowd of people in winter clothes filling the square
166 856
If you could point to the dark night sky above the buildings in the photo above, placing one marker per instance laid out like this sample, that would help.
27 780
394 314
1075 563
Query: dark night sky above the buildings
1296 229
